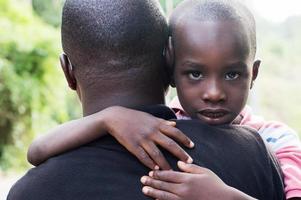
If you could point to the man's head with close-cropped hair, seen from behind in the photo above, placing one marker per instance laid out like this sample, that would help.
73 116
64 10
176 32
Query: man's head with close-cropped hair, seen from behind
113 51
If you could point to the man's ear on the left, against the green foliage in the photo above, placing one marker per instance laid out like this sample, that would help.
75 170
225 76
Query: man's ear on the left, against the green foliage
68 71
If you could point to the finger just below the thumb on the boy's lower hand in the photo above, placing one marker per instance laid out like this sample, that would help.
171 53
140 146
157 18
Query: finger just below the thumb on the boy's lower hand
168 176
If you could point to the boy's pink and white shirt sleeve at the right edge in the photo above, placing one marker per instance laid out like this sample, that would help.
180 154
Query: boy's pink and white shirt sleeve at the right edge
286 145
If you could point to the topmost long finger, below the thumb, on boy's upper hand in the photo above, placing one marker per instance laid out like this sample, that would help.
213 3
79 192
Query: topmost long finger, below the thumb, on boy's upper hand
176 134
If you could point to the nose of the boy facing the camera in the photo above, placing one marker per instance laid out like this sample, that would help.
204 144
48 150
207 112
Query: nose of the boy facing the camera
213 93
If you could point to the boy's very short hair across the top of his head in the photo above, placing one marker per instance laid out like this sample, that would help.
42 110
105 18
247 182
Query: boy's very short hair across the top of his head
216 10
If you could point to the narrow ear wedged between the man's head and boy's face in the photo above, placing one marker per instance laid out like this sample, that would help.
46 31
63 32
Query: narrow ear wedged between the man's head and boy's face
170 57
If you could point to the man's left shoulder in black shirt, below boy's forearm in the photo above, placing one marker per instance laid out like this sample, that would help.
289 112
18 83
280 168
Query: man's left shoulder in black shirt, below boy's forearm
89 172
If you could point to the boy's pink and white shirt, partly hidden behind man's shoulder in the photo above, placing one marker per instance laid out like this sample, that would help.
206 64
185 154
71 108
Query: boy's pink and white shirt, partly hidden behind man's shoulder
282 140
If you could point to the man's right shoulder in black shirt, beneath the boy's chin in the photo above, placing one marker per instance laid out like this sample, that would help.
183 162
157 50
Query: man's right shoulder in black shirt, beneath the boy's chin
238 151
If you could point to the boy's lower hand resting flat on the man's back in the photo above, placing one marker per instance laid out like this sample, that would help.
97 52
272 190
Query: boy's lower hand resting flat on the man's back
193 183
